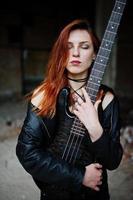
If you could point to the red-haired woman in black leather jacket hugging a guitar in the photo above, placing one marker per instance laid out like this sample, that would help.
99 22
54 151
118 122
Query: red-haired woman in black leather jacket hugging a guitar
47 143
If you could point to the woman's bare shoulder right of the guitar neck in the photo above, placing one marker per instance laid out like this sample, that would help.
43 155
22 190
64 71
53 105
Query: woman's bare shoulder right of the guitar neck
108 97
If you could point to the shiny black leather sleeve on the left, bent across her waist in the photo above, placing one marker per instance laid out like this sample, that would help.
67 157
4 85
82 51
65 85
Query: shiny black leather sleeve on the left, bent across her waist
32 154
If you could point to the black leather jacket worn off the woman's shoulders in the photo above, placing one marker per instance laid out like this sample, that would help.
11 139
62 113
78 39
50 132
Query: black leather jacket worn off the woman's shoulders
37 134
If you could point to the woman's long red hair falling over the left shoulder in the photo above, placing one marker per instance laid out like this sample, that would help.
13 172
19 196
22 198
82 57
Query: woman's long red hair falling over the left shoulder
56 77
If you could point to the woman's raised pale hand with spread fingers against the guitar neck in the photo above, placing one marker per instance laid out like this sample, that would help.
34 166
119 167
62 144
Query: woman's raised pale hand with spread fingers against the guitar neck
88 115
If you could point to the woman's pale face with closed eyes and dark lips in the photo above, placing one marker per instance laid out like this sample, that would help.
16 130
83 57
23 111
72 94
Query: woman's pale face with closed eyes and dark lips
81 53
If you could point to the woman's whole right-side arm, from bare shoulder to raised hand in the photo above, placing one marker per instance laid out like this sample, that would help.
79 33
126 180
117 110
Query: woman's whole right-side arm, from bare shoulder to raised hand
103 134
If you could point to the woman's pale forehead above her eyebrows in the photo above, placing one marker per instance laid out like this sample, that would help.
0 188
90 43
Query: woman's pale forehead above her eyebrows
79 36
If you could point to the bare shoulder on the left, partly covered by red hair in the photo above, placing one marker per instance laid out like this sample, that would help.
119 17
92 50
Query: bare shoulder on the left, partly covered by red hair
37 97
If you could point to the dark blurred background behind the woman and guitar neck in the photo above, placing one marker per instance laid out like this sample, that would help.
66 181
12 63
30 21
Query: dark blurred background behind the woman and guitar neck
29 29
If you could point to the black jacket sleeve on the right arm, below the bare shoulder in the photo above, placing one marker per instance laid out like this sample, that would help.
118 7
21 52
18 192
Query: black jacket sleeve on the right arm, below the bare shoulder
107 148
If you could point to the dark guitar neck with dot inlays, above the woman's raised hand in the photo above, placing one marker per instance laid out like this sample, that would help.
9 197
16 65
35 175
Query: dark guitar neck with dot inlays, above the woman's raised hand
102 58
